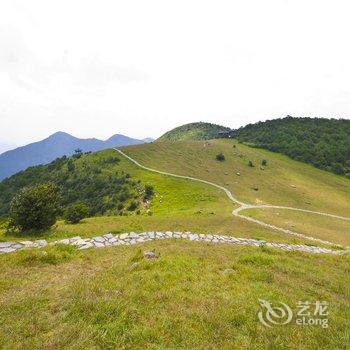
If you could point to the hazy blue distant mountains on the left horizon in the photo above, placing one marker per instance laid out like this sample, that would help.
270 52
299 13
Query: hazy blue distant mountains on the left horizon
56 145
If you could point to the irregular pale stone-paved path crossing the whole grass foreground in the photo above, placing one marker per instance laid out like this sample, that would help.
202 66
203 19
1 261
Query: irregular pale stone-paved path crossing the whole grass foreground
137 238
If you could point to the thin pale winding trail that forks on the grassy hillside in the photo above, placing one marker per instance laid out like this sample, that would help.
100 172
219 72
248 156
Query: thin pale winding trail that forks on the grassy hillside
245 206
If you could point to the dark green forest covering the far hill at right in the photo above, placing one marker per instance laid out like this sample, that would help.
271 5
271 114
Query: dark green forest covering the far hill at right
324 143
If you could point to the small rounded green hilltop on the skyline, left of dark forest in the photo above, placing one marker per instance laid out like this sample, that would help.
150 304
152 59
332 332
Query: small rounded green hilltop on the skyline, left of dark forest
193 131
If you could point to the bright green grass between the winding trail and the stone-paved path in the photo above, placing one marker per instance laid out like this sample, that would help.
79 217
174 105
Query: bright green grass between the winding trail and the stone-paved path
177 205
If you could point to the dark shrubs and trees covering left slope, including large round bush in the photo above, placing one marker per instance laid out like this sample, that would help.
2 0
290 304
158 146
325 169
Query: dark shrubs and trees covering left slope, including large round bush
72 188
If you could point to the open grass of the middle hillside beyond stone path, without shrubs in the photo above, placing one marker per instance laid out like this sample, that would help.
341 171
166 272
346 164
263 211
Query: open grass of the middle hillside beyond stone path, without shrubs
187 205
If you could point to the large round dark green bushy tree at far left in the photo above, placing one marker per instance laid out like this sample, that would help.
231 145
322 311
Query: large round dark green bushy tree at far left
35 207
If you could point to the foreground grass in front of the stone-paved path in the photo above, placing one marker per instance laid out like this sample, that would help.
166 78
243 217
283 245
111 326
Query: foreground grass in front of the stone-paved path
112 298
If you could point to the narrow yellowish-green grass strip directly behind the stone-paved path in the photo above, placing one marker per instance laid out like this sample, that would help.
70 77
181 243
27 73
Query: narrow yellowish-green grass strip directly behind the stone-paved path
211 224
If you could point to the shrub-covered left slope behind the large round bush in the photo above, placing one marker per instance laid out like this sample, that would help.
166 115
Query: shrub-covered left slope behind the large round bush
92 180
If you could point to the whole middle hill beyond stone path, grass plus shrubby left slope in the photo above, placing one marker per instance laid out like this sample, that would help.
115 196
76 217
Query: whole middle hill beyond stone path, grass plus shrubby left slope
109 183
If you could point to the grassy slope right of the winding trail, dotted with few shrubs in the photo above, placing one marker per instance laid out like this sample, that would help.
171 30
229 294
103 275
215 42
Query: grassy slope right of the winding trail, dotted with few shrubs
282 182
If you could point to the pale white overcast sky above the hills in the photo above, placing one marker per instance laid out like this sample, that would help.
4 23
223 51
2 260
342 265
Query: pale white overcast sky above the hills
140 68
